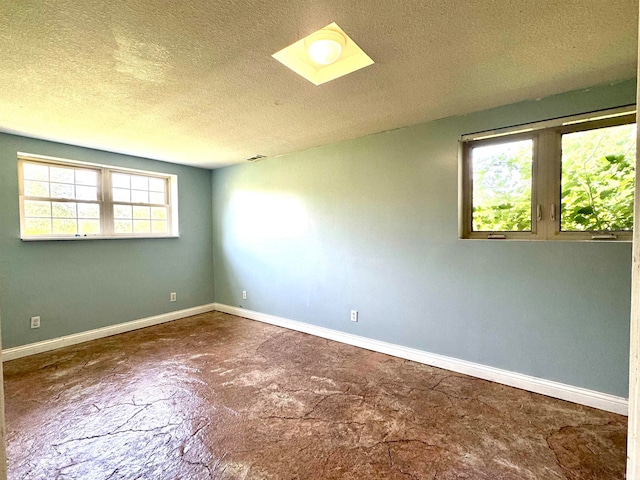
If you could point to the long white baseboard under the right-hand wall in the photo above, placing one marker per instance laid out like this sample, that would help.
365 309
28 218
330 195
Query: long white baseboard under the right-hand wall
590 398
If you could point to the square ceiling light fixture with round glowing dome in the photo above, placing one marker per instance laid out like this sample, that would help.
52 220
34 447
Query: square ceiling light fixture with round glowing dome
324 55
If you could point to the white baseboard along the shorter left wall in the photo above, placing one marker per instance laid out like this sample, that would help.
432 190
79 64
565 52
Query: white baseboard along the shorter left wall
47 345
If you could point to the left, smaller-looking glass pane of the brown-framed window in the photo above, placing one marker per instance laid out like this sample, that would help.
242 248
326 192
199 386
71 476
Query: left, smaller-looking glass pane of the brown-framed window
501 176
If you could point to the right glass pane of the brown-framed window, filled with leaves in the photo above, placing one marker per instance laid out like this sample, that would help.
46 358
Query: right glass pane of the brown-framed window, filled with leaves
598 177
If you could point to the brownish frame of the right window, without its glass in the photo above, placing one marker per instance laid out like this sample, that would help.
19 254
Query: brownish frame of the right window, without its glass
546 175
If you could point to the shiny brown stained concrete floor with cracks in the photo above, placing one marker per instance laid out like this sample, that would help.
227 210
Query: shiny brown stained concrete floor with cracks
220 397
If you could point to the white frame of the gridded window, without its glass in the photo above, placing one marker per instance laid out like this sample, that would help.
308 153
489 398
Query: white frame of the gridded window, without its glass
105 199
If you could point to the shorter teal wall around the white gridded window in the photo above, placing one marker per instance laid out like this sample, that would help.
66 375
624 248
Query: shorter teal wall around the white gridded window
81 285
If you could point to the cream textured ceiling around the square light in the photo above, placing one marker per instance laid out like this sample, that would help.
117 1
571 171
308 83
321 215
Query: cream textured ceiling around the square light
193 82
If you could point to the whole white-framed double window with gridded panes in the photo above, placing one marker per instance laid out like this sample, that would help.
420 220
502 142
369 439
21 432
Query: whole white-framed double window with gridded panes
64 199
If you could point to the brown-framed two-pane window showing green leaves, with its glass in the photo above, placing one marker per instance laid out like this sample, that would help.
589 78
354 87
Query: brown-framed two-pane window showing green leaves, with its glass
570 178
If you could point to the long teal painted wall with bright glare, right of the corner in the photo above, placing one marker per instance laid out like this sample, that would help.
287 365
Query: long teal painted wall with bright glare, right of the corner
371 224
